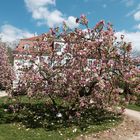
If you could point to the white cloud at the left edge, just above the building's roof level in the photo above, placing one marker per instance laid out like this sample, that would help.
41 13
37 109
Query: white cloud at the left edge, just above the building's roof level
10 33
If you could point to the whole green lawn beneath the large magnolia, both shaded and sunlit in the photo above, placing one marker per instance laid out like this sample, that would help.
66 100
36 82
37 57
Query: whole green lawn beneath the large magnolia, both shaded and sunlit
20 126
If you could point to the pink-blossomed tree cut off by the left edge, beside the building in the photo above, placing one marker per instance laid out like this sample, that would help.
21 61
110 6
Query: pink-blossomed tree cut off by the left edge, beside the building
6 72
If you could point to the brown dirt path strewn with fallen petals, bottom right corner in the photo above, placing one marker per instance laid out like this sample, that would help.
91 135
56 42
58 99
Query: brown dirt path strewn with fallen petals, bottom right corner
129 129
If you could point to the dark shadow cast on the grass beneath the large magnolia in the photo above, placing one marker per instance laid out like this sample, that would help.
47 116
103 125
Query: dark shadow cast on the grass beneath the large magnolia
41 115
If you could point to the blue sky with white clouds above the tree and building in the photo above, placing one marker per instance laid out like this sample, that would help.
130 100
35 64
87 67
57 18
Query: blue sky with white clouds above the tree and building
23 18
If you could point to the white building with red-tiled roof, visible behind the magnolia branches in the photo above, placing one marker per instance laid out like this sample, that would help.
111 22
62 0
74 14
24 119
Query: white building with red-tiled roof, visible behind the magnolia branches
26 46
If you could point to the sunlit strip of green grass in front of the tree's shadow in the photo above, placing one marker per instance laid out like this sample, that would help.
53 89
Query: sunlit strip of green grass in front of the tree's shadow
19 132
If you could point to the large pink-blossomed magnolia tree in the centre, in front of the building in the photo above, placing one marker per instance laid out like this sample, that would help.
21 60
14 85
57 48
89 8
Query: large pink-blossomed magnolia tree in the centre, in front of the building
92 69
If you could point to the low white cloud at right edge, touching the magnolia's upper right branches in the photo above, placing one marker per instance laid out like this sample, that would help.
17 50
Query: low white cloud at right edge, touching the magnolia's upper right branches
133 37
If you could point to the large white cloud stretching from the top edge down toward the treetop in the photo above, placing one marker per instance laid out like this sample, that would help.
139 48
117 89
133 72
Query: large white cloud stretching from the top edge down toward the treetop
41 12
